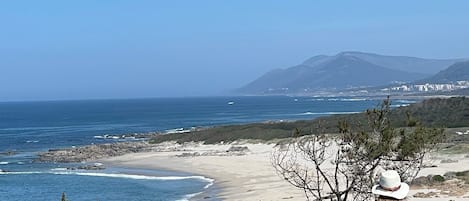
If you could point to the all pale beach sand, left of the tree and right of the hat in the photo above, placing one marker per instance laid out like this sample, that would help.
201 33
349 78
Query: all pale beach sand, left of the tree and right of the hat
251 176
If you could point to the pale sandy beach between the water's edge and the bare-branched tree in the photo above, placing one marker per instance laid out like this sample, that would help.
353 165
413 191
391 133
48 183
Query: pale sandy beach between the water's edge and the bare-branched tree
237 177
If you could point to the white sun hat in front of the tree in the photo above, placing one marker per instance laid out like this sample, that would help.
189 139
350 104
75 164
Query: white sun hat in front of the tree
390 185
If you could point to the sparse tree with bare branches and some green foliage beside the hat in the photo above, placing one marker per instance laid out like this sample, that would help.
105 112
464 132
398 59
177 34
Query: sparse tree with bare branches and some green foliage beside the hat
345 166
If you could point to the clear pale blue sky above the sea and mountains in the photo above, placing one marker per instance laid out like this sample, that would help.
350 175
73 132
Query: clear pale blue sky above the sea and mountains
88 49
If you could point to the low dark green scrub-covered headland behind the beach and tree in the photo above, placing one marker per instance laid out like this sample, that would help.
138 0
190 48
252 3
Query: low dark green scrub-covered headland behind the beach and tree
446 113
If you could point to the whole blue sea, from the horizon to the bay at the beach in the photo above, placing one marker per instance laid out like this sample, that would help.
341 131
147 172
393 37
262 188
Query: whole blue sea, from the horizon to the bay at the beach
30 127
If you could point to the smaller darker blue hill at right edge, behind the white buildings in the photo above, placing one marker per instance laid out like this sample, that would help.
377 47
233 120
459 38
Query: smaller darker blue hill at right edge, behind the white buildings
454 73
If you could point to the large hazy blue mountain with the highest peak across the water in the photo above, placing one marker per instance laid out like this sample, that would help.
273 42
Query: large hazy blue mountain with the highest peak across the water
346 70
